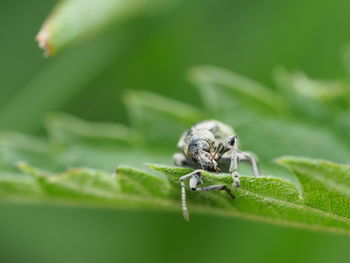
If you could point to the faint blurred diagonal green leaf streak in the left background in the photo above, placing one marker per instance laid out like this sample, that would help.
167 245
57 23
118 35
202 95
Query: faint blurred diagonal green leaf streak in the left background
71 77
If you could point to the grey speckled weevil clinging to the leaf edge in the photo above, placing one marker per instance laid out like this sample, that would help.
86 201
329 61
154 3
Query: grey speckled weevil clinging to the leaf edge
211 146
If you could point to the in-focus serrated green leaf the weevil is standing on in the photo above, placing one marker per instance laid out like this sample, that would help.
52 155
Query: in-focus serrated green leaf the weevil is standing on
267 199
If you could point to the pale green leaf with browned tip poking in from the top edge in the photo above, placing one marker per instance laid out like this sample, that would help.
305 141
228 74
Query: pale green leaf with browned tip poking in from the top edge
72 20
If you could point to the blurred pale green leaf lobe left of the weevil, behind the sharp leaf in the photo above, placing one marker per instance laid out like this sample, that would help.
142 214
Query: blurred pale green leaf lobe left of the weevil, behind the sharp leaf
77 143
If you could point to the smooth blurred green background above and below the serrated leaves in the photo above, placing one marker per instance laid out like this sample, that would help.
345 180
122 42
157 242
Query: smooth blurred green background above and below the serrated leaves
87 80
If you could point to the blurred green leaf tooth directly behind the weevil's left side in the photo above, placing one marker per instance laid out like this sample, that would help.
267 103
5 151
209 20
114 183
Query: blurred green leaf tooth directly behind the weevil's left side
160 119
